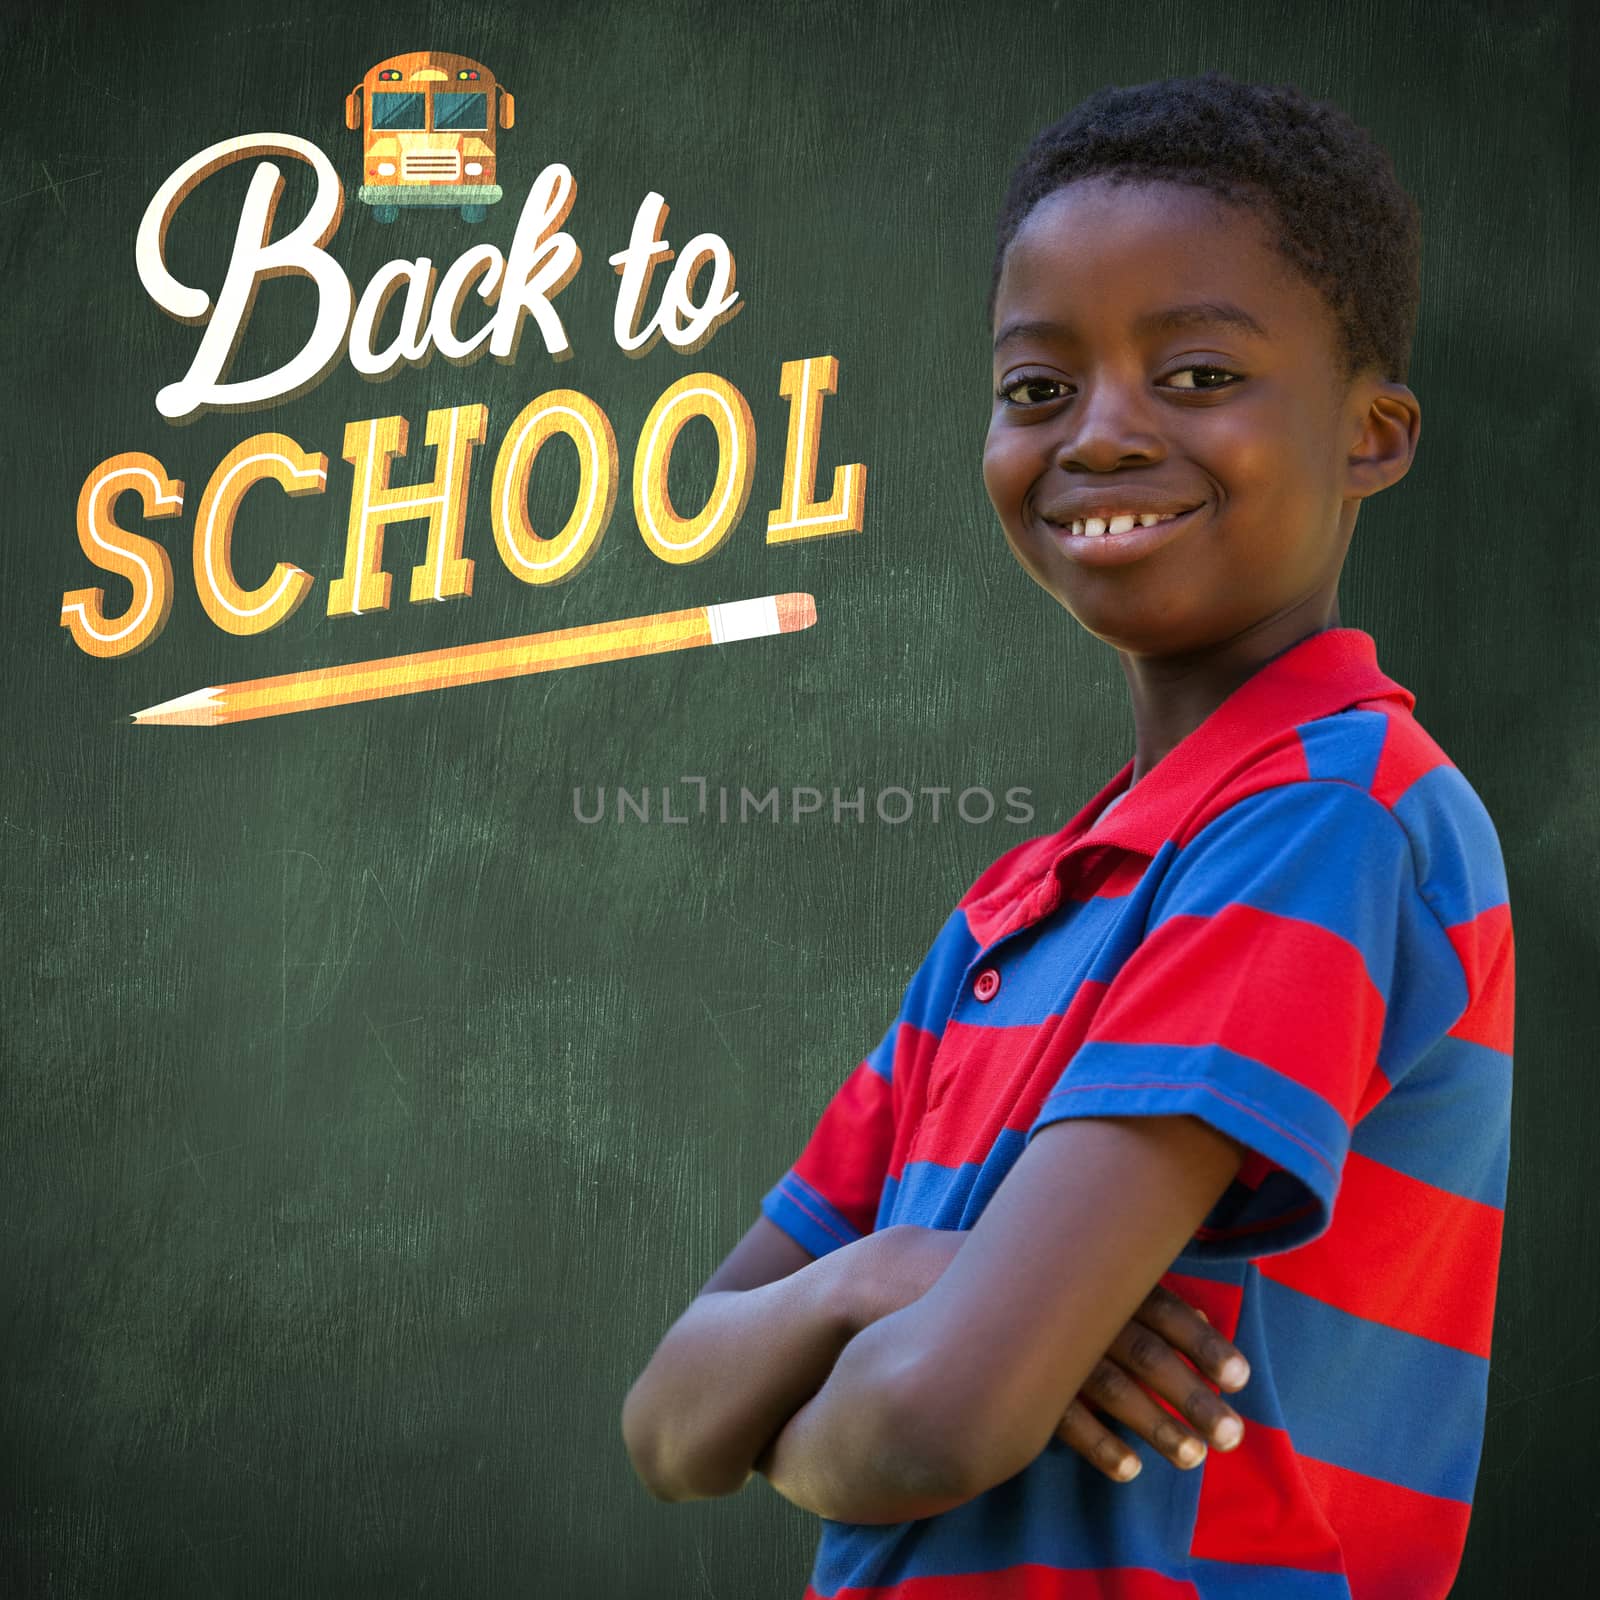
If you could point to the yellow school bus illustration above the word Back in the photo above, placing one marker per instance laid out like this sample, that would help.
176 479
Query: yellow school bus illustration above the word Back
430 140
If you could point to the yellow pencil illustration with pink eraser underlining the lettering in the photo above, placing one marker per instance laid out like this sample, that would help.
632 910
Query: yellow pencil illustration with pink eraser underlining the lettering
497 658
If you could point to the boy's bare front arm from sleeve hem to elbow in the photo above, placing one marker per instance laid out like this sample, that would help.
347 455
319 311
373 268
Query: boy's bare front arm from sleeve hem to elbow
964 1388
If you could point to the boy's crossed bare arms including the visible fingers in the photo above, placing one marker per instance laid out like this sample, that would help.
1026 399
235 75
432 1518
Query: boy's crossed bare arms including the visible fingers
916 1369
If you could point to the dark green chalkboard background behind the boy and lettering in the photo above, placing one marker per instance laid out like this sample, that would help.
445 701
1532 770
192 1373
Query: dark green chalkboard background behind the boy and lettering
369 1114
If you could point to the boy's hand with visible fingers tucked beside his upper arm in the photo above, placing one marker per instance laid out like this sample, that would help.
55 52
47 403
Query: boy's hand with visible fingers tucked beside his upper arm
1148 1353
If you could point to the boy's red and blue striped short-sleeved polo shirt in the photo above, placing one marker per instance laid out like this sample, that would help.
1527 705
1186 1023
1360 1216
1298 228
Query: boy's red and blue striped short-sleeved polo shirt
1297 929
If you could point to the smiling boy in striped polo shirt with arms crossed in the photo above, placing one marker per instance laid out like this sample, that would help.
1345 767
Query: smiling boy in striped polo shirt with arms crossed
1241 1031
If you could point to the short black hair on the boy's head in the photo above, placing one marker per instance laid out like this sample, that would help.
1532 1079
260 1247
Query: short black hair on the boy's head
1321 183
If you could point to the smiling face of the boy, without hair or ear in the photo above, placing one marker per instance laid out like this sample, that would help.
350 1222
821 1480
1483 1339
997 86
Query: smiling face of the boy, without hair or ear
1154 356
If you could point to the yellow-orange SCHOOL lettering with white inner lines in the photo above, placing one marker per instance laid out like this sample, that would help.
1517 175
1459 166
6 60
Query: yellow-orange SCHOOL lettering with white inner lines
446 574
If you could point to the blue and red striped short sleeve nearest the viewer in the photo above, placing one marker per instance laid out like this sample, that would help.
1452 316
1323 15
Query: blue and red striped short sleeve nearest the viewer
1287 953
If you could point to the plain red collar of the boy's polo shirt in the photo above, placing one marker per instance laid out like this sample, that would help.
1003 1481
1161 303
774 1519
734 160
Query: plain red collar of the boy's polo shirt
1316 678
